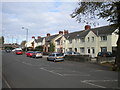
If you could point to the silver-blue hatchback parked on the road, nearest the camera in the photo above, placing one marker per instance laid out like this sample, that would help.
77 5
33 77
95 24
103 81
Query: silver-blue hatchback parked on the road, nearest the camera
56 57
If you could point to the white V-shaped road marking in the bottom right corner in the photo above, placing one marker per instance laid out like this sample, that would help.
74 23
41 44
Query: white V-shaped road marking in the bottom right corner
90 82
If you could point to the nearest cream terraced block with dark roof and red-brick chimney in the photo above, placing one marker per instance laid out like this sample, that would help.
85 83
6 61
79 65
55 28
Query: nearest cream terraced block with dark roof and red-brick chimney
91 41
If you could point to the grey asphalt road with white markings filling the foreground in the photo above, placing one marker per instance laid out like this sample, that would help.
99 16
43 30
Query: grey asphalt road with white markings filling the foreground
20 71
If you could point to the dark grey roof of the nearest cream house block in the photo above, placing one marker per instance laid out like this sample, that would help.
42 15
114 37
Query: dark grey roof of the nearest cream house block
105 30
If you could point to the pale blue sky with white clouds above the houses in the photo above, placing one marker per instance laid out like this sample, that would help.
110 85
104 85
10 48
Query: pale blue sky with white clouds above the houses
39 18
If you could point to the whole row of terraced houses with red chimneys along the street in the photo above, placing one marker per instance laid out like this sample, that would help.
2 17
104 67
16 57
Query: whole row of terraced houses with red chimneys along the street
89 41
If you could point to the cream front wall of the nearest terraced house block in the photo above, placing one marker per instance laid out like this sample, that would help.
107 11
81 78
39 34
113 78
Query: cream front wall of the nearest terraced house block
96 44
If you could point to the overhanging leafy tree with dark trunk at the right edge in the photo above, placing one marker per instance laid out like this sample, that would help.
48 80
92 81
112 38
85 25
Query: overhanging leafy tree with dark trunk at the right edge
95 10
